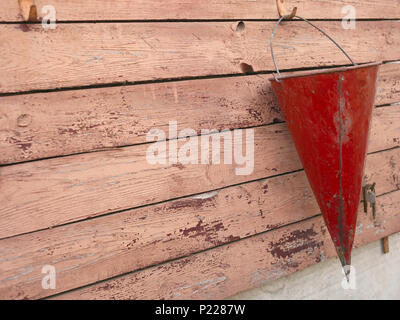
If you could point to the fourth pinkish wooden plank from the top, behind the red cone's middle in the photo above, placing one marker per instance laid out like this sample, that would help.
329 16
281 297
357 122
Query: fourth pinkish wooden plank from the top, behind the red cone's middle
42 194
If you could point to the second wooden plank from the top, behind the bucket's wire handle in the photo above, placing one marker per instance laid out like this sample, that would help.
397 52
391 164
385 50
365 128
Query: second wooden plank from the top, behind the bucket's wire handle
88 54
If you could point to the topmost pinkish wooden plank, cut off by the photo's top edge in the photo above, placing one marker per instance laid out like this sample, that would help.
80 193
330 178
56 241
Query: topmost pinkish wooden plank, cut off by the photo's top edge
192 9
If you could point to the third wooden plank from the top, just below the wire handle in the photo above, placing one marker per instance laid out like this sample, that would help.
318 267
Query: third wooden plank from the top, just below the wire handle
43 125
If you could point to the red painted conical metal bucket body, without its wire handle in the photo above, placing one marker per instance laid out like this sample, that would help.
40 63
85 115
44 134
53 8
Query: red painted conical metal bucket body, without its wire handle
328 114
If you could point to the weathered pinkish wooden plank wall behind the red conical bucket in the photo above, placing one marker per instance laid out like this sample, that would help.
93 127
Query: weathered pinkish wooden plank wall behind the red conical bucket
110 213
